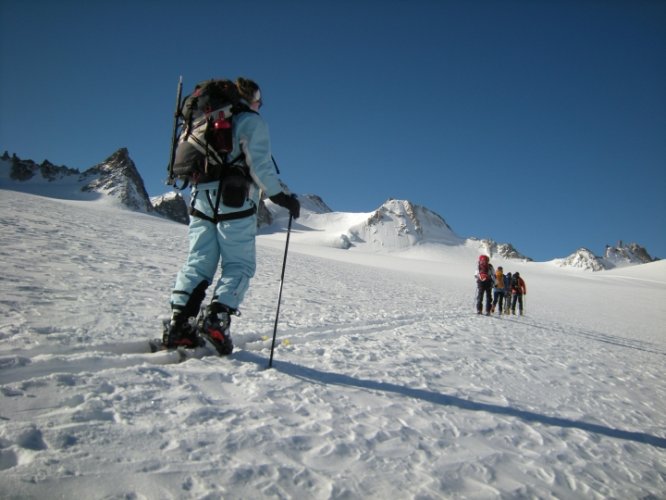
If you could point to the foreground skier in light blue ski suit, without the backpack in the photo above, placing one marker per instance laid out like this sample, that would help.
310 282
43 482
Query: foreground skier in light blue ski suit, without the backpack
227 237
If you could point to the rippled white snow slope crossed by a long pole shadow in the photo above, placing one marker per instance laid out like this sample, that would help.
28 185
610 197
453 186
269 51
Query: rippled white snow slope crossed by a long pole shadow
385 383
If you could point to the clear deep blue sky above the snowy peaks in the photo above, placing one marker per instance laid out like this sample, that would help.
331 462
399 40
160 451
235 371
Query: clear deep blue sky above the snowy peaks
540 123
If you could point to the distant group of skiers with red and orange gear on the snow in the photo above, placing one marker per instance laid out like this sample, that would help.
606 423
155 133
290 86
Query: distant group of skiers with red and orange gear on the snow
501 291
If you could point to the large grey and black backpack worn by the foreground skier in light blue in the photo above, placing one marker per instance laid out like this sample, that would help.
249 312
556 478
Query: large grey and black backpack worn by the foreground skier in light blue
205 141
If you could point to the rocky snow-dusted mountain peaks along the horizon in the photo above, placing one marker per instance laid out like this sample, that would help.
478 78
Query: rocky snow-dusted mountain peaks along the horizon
396 225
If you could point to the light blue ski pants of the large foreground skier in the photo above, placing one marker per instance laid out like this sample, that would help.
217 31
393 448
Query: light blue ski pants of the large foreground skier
231 244
